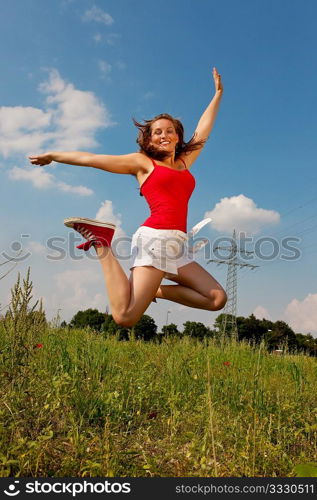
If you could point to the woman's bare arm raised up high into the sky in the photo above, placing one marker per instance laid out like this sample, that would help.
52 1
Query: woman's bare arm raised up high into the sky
207 119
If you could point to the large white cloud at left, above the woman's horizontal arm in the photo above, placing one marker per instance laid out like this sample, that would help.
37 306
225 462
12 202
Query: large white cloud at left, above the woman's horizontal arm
69 120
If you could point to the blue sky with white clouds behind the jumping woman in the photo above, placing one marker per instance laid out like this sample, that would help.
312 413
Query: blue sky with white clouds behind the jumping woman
74 73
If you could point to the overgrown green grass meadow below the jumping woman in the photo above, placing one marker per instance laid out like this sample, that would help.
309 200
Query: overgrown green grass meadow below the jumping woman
86 406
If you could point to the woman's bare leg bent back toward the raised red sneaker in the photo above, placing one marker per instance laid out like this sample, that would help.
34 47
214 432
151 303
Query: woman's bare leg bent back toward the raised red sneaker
128 298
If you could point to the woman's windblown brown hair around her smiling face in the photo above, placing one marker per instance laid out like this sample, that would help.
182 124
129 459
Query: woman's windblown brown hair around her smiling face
182 147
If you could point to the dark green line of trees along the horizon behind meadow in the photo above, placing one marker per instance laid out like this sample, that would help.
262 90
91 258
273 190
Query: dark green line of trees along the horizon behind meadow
276 334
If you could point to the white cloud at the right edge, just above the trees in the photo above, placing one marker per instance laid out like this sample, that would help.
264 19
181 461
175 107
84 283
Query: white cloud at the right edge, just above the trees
302 315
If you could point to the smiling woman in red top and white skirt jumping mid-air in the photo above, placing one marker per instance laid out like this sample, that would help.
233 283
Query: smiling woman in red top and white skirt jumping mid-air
162 169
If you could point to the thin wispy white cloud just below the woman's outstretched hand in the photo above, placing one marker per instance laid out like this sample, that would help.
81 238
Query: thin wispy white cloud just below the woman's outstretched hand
41 179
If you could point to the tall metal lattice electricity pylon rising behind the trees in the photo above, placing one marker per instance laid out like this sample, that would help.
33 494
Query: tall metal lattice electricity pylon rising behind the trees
229 320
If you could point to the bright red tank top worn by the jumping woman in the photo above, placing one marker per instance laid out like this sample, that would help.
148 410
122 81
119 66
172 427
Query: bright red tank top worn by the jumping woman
167 192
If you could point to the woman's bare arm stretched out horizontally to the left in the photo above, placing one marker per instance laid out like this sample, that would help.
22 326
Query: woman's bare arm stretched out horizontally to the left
119 164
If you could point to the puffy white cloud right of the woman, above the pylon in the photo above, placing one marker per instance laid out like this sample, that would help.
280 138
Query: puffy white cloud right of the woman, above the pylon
241 213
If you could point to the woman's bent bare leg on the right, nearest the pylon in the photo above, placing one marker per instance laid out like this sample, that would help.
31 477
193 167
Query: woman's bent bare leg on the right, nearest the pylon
196 288
